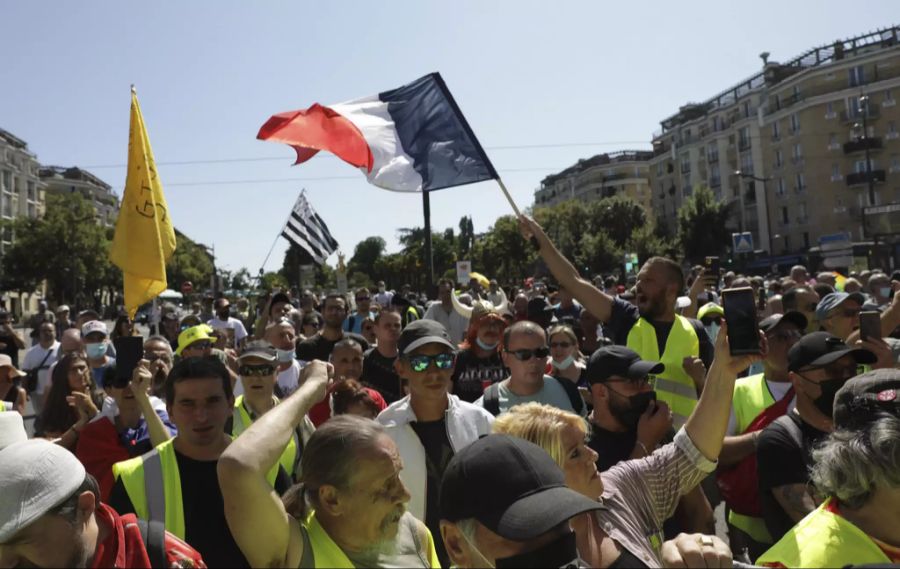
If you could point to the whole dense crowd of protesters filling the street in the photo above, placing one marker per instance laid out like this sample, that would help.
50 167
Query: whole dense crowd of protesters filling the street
562 421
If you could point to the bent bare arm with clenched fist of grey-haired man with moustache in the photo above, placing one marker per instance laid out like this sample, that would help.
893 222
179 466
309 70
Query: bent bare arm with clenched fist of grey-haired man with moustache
252 507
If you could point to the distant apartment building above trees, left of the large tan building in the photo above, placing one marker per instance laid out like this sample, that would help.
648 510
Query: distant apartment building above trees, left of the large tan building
605 175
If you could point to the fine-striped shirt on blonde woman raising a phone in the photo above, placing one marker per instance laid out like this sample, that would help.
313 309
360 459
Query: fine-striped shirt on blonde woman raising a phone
639 495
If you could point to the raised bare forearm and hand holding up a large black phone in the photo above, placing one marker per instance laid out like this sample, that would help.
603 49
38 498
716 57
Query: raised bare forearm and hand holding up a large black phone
708 423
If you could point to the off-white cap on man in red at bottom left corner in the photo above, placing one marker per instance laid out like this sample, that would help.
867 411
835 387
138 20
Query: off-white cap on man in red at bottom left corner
37 476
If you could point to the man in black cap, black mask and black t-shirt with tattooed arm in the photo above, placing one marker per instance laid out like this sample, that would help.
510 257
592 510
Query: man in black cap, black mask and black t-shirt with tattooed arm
819 364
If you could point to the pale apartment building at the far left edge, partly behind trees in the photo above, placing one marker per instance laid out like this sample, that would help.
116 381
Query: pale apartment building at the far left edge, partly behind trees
21 195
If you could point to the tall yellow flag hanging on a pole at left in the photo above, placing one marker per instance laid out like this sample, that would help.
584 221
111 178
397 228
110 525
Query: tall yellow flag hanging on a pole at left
144 239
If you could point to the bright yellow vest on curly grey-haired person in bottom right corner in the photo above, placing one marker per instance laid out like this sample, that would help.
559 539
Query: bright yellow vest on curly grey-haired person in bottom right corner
823 539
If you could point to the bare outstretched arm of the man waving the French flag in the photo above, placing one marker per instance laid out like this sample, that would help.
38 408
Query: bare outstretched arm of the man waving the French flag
593 299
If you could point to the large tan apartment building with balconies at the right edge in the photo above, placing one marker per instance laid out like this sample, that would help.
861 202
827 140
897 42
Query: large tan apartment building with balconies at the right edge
798 150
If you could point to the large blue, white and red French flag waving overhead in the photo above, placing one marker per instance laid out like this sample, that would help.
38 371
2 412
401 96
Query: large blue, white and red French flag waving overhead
410 139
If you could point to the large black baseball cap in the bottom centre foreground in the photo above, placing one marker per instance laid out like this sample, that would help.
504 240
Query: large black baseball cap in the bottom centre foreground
511 486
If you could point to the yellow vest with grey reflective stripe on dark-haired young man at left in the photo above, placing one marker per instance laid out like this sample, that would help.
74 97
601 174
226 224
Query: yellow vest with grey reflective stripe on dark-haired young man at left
153 484
